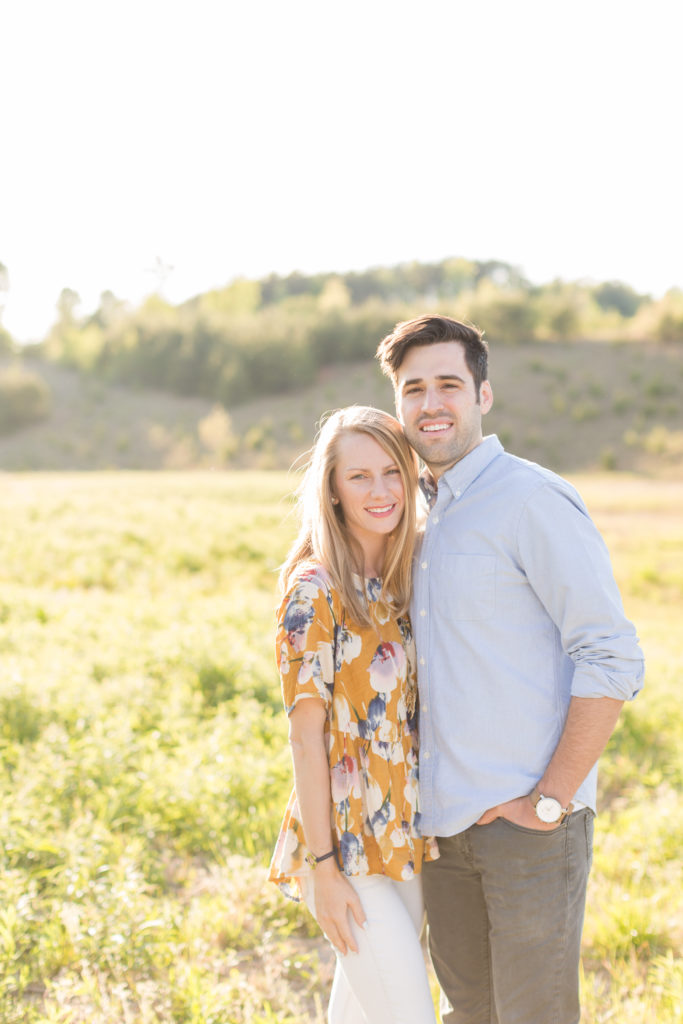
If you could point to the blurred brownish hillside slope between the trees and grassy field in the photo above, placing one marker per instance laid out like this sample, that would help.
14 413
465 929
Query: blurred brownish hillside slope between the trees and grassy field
574 407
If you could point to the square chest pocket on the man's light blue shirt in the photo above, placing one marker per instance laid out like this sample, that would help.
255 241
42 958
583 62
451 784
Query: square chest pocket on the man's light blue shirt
466 586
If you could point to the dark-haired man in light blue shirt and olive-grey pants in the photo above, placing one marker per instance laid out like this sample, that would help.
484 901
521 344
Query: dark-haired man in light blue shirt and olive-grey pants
525 660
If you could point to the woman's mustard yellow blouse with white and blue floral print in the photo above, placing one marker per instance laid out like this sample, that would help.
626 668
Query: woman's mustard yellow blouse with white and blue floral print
366 676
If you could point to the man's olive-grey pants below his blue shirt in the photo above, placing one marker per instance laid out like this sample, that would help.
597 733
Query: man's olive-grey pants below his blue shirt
505 909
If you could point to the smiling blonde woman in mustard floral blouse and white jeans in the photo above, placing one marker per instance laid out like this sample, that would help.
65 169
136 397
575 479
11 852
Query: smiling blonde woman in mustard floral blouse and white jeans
351 842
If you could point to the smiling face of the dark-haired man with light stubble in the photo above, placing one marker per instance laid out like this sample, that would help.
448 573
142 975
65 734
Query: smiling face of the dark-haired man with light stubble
438 404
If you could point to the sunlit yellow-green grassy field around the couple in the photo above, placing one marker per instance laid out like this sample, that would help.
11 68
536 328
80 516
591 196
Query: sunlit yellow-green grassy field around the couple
144 762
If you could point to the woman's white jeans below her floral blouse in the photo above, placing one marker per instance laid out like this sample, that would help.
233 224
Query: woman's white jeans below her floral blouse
387 982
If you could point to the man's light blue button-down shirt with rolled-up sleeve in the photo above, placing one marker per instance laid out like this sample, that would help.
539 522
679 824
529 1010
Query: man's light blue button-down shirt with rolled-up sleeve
516 610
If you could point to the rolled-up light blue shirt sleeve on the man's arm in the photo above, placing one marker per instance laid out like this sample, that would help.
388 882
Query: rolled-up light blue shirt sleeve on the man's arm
569 568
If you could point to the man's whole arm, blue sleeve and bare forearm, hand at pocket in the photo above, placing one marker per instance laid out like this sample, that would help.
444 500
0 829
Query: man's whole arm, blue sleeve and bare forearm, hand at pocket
568 565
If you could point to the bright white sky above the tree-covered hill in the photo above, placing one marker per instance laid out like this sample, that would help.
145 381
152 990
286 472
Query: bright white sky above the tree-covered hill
237 139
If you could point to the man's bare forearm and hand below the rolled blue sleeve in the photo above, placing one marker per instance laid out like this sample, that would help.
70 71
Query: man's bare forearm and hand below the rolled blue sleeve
589 726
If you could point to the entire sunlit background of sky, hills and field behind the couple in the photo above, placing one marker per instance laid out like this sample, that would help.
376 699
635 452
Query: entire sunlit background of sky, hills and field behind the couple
210 215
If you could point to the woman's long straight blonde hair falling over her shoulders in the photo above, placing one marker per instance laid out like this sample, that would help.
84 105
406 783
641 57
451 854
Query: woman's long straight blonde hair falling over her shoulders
324 537
